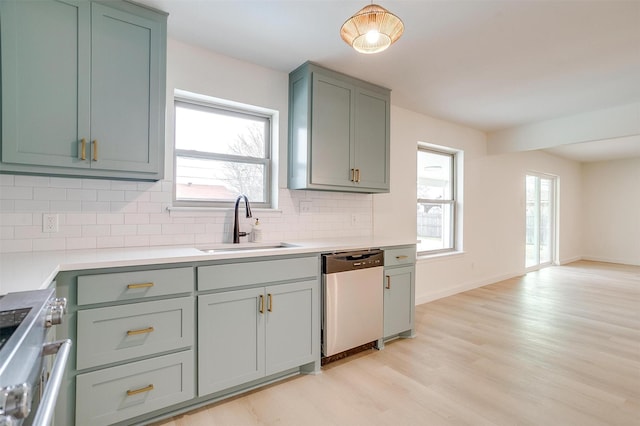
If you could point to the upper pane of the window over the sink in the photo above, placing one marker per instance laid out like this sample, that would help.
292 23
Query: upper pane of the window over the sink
218 131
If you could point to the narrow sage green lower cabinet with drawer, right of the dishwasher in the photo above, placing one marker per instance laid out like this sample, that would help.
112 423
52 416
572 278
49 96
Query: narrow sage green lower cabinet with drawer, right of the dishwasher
399 292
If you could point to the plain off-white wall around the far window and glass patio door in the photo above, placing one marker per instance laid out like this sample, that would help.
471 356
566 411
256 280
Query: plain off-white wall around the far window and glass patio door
493 204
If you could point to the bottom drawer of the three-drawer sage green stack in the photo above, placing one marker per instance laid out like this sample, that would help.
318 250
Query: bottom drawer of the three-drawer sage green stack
115 394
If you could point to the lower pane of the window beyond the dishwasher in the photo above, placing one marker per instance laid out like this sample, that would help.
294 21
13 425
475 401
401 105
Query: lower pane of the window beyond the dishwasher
435 226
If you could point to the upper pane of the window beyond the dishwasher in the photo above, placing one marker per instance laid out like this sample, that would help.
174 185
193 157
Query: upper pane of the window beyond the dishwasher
435 176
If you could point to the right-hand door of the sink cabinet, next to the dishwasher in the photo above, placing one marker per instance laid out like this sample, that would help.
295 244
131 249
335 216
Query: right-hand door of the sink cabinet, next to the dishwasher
291 323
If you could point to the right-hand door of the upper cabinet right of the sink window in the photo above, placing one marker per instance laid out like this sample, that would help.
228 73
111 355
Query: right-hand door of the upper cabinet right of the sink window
372 139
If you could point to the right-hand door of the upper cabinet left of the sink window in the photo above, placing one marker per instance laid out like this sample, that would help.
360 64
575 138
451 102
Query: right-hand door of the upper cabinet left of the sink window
125 87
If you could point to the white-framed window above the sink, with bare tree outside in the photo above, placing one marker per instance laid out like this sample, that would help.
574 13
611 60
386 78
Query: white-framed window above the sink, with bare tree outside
222 149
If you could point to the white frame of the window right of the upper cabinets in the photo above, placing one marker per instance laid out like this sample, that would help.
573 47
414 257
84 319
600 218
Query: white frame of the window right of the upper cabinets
452 202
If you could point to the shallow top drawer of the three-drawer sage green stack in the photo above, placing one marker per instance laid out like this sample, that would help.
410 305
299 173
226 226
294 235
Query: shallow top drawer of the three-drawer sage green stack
121 286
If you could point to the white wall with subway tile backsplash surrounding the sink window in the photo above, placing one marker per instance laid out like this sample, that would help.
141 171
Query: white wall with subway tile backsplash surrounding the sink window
111 214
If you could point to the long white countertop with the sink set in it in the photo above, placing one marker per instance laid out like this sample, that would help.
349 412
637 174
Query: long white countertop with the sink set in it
36 270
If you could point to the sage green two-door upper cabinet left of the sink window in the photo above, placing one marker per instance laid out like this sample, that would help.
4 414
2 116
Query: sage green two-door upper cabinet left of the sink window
83 89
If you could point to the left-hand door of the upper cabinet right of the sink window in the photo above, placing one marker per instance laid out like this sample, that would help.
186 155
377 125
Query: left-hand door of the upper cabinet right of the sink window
331 131
